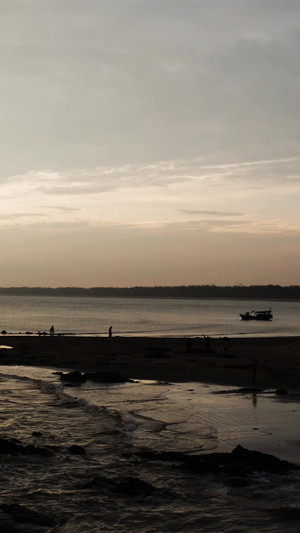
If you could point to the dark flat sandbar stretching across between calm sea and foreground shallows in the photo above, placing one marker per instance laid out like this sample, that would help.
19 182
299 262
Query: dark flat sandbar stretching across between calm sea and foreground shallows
165 359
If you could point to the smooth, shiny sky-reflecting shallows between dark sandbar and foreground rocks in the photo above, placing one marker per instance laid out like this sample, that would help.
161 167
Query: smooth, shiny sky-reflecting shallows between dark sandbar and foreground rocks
190 417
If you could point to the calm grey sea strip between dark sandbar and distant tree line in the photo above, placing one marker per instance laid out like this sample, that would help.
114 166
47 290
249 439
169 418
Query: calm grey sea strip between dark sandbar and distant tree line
131 316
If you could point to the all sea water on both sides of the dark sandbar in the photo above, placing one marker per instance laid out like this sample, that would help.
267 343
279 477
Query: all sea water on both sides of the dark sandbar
81 463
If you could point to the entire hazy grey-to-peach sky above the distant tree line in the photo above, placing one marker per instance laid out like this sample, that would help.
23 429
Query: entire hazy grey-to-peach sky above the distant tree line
149 142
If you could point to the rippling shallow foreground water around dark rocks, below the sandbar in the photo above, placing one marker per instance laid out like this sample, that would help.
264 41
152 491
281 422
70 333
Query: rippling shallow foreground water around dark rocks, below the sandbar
113 423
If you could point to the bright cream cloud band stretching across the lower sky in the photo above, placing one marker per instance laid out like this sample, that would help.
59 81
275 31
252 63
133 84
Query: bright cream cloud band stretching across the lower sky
162 191
